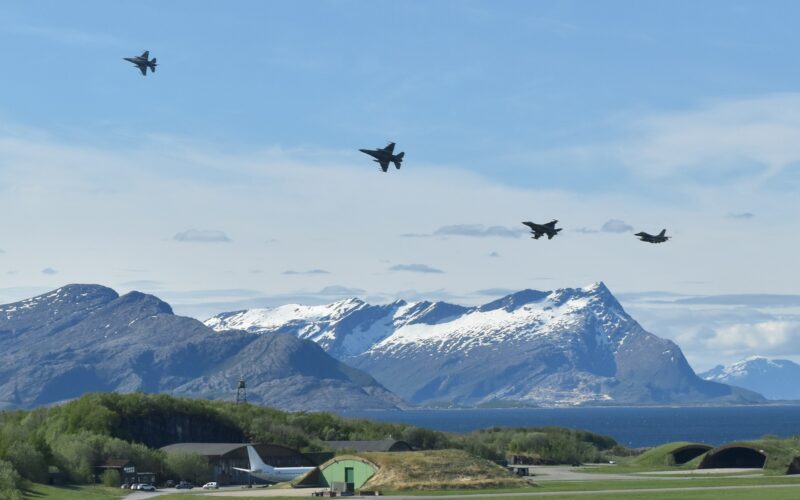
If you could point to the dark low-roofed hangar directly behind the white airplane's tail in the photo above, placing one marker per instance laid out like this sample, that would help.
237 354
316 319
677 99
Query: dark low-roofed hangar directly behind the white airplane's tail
223 457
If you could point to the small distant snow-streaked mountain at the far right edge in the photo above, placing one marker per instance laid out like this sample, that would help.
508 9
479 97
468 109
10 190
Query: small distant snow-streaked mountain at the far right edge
774 378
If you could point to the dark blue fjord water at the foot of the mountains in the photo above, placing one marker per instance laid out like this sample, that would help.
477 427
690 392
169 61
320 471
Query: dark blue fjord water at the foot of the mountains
631 426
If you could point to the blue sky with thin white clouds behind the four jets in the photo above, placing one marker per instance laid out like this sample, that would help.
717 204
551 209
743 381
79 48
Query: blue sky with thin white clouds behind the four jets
231 177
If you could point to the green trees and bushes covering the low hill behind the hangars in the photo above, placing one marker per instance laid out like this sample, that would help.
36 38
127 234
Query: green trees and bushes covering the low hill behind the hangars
71 439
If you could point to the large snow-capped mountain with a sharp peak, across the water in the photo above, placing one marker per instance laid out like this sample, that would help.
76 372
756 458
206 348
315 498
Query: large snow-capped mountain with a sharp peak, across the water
568 346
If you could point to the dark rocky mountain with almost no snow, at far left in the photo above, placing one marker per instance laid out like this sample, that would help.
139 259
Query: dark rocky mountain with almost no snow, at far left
83 338
